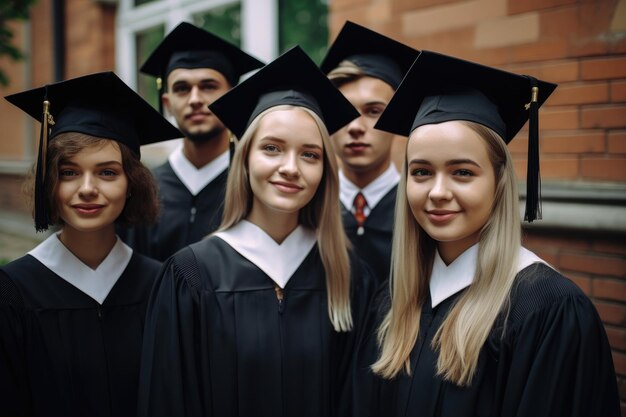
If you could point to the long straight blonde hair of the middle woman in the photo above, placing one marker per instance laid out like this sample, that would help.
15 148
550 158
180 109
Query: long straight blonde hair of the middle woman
322 213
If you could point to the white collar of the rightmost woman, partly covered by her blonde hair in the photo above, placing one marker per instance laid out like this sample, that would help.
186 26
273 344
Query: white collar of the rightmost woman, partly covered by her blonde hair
447 280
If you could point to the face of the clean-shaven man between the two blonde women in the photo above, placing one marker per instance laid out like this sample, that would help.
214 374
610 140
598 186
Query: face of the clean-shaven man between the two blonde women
365 151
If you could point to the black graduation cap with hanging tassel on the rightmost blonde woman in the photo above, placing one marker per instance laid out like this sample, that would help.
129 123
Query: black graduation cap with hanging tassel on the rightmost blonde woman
440 88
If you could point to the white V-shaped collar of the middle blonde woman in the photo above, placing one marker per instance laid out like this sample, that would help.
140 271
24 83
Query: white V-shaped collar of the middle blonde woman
279 262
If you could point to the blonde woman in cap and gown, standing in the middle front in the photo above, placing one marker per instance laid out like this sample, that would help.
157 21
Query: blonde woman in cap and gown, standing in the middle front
263 314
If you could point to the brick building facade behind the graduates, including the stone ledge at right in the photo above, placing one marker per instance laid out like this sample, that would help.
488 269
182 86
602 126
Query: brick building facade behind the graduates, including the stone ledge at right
579 44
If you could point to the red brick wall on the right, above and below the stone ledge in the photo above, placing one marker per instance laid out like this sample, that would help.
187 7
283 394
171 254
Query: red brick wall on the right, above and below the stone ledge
579 44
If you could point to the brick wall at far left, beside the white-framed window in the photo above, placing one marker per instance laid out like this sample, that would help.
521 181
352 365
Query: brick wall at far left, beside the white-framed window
89 47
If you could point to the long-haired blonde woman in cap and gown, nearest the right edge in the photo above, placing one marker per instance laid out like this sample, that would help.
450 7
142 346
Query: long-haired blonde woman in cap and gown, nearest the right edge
473 323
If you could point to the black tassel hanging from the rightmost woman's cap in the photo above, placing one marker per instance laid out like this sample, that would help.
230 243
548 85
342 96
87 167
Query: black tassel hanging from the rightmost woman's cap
533 179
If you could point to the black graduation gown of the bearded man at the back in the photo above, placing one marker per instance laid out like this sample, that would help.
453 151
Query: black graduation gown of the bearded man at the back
184 219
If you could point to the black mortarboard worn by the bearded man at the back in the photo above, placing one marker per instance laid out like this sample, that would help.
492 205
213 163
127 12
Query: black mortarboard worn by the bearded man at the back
188 46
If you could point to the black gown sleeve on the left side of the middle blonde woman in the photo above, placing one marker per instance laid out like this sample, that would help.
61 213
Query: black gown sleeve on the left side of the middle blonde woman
171 378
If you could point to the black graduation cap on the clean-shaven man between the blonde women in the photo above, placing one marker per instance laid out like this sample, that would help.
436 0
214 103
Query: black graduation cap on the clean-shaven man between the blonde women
376 55
